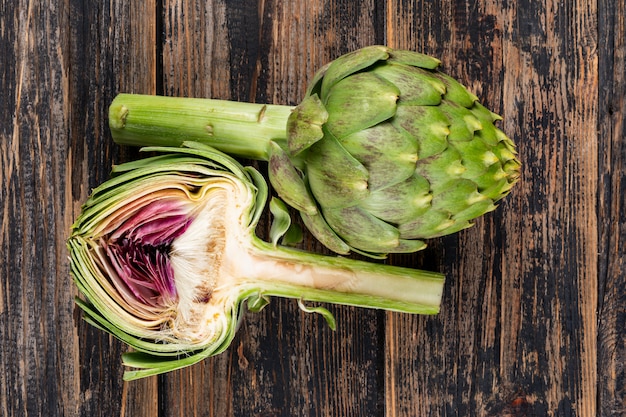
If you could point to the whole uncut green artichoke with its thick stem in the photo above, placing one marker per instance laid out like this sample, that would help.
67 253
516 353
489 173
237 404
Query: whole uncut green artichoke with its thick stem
384 152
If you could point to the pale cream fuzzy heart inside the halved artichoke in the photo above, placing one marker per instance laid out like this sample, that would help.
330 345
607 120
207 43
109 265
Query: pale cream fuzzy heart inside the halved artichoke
206 279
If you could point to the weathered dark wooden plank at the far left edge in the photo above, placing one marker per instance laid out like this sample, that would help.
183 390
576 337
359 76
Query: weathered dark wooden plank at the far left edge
61 64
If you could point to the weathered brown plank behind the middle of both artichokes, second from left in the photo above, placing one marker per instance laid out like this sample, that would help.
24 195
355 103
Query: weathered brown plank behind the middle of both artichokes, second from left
283 361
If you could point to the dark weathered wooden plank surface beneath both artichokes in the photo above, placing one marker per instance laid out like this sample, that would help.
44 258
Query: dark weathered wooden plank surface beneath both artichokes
534 310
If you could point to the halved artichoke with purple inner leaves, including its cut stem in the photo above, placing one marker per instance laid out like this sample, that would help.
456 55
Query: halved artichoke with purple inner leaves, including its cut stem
165 255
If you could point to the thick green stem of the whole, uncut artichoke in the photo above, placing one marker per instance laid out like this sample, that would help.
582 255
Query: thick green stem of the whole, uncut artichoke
241 129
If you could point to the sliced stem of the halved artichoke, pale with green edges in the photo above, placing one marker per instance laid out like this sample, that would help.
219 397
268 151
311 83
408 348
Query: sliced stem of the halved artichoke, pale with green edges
284 272
